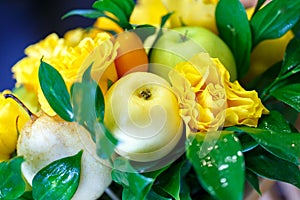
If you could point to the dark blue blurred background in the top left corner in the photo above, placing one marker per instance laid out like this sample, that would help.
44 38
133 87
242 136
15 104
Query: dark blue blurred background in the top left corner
24 22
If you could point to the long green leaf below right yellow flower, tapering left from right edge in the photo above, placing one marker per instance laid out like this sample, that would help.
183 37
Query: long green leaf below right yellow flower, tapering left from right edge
283 145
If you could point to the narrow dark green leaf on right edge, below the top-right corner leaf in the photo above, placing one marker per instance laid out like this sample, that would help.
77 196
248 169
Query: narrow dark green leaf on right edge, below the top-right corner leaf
291 61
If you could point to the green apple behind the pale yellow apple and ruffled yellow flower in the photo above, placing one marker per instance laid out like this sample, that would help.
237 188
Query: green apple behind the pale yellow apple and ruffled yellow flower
181 43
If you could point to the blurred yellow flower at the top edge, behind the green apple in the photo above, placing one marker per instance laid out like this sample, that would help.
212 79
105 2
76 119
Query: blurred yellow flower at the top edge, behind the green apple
191 12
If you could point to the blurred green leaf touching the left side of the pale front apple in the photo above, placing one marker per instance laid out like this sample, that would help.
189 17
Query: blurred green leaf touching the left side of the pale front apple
89 106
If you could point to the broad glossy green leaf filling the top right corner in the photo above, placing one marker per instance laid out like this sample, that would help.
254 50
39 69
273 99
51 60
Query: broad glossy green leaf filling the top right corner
274 20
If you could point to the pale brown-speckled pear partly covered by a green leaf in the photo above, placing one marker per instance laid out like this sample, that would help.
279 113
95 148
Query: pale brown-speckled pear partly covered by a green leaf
46 139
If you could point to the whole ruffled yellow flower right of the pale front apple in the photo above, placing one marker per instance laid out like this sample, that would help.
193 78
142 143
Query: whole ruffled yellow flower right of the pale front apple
207 98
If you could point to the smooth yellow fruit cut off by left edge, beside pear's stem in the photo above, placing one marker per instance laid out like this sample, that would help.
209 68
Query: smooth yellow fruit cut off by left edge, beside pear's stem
12 118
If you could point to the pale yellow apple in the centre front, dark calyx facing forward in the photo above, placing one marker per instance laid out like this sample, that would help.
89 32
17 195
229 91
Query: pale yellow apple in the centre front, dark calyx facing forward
142 112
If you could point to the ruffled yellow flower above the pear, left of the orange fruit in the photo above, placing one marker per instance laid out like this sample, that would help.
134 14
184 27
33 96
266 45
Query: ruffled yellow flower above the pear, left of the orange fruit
70 55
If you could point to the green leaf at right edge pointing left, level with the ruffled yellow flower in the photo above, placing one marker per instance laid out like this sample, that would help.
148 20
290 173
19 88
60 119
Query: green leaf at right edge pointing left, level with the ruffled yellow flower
289 94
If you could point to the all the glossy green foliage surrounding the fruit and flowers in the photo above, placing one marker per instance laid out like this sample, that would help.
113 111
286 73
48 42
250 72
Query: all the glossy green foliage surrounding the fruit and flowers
240 154
